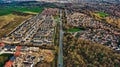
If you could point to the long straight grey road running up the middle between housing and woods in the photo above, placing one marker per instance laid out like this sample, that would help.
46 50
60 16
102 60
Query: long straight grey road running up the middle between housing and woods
60 56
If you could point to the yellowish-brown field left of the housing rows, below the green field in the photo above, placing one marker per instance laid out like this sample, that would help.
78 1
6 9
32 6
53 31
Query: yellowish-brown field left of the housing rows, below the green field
9 22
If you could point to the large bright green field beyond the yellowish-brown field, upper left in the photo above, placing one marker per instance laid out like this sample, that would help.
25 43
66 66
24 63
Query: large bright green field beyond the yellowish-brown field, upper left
9 10
